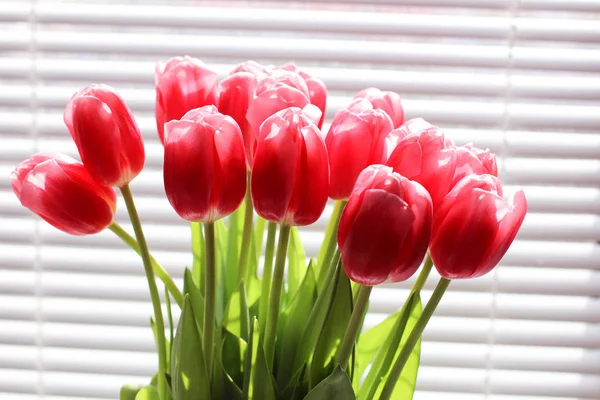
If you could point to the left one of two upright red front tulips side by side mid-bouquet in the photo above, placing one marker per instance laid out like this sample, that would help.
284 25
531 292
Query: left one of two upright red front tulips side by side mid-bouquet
204 166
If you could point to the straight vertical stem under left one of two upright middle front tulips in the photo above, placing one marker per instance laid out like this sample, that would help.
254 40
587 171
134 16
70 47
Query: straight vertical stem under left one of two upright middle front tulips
209 293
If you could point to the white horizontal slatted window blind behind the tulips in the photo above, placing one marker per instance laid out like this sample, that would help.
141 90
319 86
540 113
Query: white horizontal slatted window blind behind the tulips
519 76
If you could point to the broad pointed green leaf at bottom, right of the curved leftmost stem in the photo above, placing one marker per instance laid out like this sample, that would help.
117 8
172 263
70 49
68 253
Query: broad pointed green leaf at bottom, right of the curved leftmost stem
189 375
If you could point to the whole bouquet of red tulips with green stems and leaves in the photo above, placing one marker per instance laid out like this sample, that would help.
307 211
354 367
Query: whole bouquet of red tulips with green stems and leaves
246 163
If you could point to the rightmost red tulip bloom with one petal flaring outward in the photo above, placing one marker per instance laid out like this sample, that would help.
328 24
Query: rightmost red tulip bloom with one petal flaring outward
474 227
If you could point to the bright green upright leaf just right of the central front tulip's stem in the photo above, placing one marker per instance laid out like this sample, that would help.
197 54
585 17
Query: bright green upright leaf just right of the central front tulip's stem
294 320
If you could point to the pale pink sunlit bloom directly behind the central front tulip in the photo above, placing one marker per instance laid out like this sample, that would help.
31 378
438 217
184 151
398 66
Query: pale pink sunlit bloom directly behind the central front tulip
270 93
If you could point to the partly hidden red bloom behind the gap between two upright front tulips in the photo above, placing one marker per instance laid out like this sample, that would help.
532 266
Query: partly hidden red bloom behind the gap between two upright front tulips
234 95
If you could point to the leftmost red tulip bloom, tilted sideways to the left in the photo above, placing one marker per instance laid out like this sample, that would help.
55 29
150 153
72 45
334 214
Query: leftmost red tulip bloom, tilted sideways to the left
61 191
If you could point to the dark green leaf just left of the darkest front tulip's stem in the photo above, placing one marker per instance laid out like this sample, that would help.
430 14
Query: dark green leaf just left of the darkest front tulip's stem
333 331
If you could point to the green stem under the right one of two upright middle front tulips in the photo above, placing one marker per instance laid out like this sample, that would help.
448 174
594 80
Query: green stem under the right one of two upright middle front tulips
275 295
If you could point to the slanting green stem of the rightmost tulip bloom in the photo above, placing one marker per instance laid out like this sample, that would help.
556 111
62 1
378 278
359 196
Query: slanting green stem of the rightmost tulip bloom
412 340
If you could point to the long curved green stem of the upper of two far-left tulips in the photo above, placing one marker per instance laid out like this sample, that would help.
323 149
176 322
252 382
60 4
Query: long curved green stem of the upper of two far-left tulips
156 304
